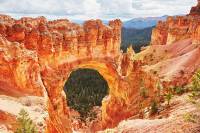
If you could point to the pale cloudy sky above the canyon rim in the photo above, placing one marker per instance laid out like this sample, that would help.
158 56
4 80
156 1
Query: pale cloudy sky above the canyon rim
92 9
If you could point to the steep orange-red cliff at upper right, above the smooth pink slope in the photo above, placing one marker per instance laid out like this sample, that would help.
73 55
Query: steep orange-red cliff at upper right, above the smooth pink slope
177 28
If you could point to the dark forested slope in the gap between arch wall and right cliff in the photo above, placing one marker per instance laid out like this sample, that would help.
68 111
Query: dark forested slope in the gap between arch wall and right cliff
136 38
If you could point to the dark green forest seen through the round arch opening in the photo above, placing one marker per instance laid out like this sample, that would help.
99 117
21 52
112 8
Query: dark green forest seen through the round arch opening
85 89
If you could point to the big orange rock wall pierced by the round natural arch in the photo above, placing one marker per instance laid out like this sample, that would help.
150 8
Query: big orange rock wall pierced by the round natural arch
37 56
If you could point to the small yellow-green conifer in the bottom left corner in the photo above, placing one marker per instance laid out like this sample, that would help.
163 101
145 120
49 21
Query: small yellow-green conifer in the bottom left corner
25 124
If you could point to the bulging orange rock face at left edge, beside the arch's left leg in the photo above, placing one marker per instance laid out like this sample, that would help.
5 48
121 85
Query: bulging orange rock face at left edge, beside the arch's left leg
19 69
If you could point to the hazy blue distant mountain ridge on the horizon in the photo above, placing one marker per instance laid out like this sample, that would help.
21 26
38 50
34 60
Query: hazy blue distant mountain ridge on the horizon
141 23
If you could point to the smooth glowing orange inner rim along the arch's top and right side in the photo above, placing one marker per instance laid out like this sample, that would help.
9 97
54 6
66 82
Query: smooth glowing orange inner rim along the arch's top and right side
109 73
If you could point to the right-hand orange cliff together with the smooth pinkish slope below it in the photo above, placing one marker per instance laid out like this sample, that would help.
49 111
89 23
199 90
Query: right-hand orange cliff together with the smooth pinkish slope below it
174 50
